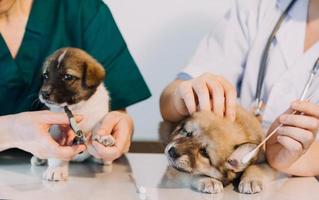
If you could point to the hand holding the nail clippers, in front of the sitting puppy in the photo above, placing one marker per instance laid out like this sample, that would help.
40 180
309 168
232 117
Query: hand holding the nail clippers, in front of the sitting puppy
30 132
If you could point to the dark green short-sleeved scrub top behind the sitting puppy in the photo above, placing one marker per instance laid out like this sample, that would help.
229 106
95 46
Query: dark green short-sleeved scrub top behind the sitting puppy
53 24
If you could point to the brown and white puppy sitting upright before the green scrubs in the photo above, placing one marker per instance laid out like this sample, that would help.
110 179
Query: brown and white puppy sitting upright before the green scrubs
73 78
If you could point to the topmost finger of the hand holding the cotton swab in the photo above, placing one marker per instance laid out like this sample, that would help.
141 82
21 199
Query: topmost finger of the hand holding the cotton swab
306 107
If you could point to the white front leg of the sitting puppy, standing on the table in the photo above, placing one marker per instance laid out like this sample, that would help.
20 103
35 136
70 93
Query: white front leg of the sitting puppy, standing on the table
57 170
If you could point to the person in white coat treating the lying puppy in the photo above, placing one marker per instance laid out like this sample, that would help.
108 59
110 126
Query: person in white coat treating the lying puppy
227 63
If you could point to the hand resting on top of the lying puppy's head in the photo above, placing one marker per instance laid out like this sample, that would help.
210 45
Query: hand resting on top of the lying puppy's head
204 93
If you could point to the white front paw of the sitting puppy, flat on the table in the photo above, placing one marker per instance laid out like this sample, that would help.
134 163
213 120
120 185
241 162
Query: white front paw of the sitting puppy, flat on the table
60 173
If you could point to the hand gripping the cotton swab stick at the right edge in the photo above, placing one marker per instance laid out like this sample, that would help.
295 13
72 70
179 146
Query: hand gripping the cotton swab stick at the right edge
296 135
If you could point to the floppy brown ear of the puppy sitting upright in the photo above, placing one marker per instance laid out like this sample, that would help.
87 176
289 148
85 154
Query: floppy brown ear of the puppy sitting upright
93 74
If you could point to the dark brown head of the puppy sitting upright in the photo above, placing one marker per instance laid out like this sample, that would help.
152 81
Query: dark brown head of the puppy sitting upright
85 74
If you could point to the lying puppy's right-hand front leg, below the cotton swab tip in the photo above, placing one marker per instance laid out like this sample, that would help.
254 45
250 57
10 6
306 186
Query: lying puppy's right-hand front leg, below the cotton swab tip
255 177
